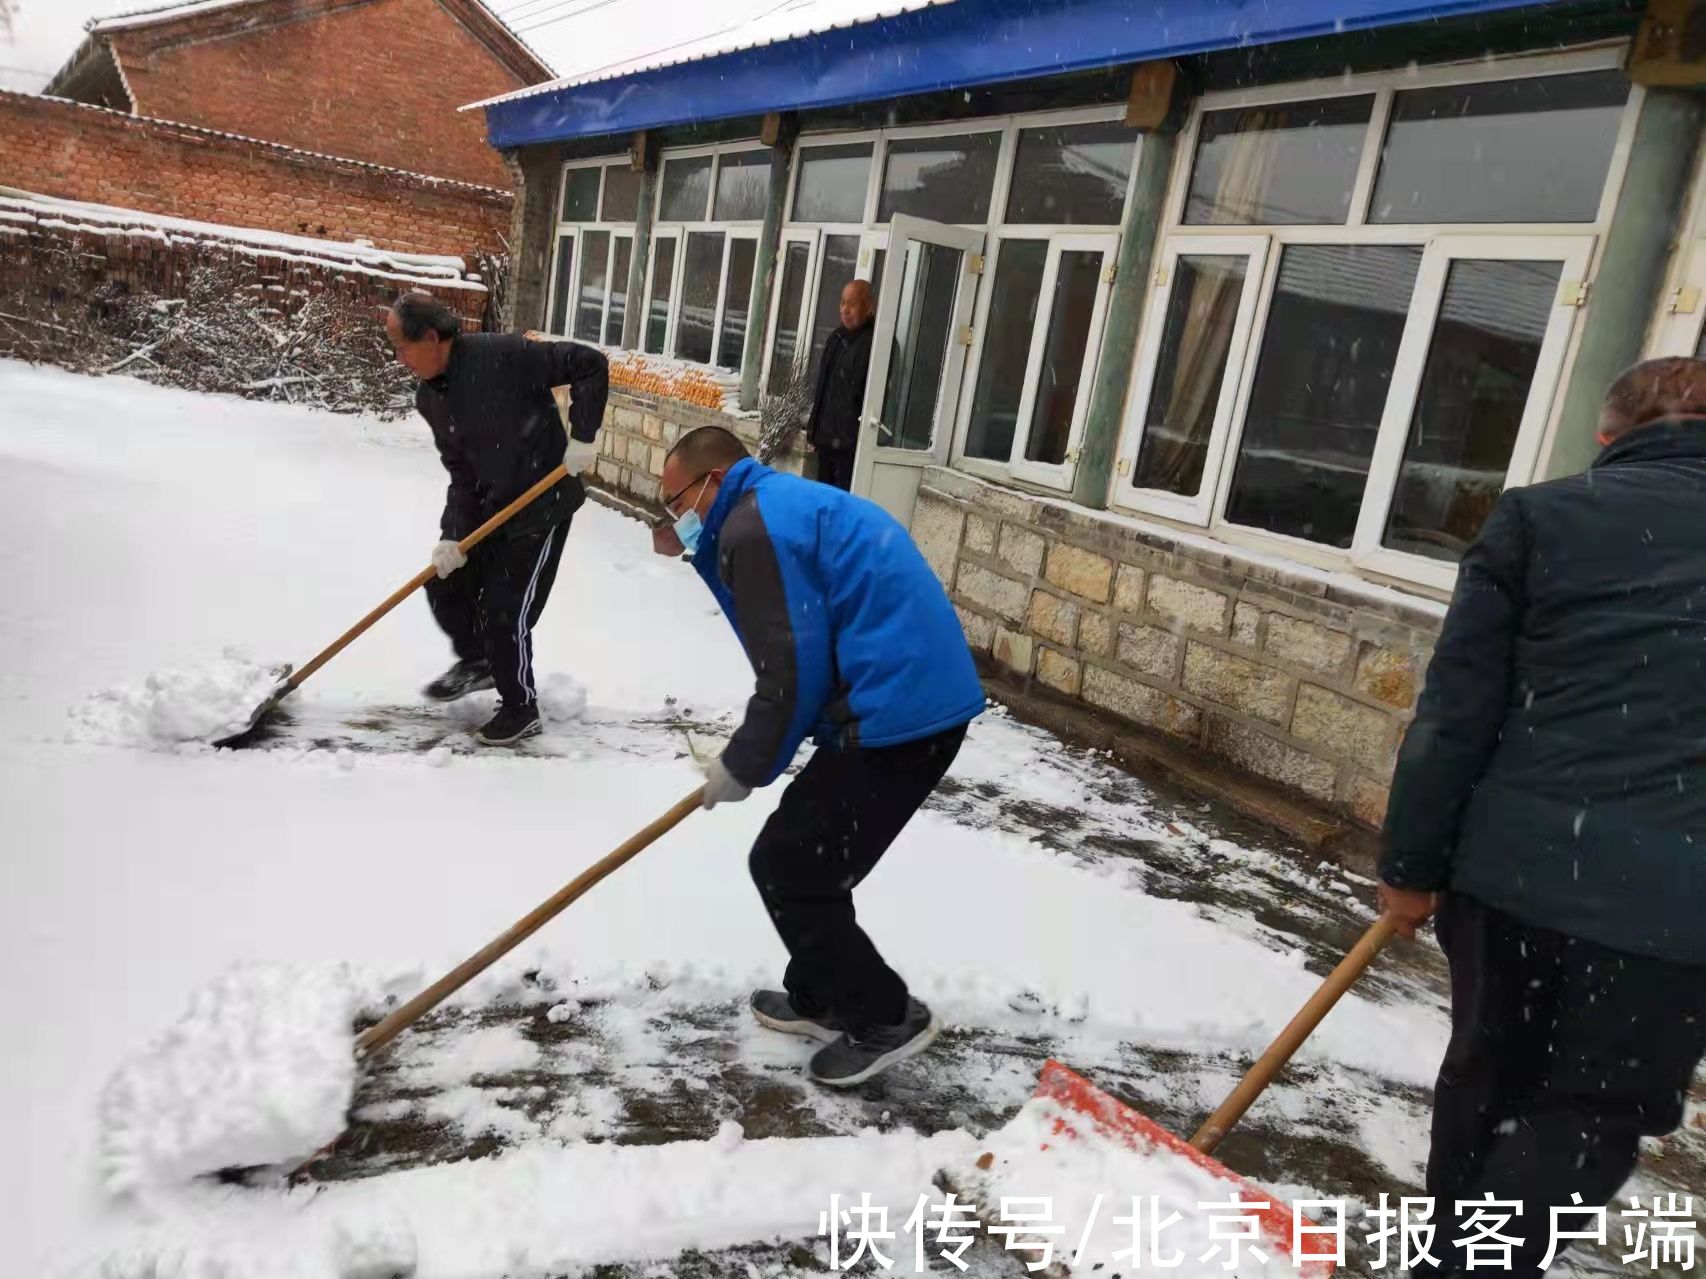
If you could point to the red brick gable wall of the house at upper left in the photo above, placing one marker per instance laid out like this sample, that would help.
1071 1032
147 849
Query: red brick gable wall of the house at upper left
378 81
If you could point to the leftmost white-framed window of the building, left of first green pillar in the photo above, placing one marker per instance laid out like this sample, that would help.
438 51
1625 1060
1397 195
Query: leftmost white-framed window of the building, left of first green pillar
595 252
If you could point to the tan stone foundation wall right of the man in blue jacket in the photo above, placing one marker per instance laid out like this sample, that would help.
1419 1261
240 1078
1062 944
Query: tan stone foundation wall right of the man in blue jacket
1304 680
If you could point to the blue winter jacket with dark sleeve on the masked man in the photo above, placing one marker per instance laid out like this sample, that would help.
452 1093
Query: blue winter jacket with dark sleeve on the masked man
849 632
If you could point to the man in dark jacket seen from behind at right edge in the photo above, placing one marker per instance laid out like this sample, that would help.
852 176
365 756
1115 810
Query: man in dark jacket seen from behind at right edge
1550 806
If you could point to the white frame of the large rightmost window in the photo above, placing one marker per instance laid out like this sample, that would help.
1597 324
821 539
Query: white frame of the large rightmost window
1540 422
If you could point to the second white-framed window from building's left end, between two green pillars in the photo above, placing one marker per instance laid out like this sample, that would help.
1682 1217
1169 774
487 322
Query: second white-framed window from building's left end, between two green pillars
704 257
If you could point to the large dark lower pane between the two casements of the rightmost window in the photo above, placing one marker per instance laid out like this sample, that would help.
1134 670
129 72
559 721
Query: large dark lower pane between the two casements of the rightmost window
1321 388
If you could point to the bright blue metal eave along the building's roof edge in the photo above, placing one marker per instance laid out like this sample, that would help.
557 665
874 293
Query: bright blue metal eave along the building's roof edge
949 47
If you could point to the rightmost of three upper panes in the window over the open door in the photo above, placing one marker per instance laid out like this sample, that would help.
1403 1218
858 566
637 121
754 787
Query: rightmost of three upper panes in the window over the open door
1074 175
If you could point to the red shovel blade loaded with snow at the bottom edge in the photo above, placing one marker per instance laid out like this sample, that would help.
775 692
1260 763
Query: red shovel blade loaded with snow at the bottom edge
1096 1160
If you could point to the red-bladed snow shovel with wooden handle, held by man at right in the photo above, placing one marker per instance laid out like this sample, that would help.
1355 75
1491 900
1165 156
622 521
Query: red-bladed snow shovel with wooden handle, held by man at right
1082 1111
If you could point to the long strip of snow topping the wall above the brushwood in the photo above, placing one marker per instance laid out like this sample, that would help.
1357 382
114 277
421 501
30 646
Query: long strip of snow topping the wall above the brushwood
439 270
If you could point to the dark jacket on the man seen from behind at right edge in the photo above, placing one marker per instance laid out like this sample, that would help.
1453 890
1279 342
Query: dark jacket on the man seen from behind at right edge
1557 768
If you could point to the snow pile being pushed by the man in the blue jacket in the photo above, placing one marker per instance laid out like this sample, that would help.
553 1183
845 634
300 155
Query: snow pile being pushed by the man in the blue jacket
258 1072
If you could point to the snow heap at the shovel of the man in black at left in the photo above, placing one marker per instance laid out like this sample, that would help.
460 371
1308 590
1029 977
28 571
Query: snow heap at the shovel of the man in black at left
170 707
